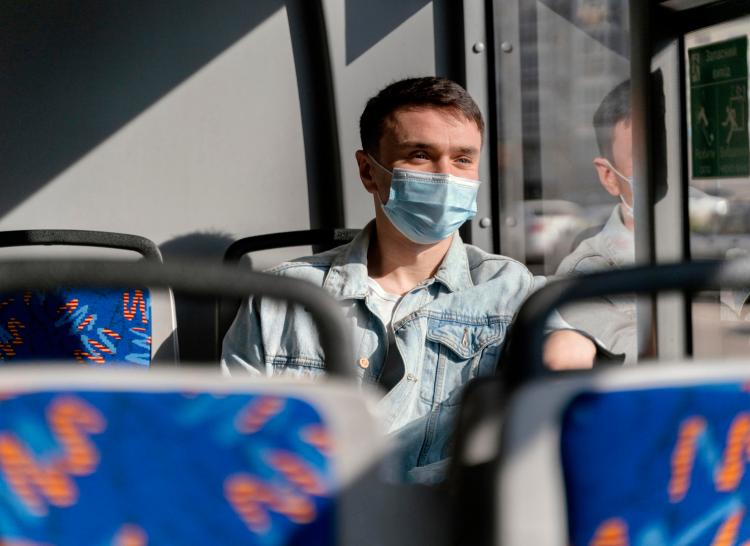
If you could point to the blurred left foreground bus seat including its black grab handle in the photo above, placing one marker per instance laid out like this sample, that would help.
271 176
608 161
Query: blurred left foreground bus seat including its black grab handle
371 506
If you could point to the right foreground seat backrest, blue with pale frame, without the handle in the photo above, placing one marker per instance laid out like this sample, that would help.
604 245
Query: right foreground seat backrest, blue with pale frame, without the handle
627 457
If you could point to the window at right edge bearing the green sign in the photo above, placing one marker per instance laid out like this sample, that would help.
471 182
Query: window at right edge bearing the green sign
716 61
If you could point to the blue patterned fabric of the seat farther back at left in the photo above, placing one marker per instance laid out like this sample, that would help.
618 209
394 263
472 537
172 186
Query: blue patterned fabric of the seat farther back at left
95 327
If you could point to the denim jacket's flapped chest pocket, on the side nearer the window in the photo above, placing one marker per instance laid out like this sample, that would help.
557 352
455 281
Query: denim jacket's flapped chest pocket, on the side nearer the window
457 352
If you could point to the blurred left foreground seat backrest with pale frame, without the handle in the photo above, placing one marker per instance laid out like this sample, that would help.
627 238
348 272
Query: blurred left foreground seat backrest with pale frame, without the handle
124 458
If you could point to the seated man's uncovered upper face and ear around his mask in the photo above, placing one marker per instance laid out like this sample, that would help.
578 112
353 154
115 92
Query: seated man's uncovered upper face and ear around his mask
423 139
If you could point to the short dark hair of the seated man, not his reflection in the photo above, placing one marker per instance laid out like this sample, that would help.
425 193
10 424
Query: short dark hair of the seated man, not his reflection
430 92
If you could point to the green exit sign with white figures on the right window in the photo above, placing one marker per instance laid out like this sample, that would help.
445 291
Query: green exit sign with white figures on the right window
718 109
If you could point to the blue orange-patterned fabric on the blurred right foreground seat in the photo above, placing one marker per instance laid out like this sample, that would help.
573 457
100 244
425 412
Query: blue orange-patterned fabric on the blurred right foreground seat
659 467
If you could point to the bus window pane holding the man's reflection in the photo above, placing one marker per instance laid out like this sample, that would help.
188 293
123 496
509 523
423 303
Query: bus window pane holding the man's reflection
565 150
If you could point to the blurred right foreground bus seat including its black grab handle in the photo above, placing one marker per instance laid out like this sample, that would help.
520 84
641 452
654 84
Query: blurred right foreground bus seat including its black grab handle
614 456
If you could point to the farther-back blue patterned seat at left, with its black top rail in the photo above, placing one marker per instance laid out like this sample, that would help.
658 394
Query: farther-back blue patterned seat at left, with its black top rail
124 327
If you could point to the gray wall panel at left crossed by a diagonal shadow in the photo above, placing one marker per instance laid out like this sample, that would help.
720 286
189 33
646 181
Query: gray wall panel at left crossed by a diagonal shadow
216 152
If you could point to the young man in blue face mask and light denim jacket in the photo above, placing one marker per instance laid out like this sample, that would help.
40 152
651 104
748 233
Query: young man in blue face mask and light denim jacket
428 313
